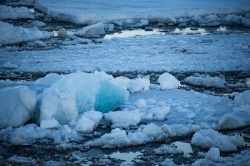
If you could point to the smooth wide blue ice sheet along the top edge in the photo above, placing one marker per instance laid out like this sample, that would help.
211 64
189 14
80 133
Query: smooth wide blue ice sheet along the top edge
83 13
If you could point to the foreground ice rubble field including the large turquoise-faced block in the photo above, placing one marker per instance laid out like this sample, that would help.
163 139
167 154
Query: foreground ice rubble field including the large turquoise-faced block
64 107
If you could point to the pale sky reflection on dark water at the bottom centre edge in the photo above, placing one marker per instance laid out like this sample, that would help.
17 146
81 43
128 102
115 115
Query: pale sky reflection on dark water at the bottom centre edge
128 157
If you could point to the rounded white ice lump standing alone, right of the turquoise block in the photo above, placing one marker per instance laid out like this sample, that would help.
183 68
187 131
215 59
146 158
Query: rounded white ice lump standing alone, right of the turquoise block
168 81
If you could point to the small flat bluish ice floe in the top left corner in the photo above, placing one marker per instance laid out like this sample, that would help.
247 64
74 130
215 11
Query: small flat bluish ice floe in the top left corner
8 12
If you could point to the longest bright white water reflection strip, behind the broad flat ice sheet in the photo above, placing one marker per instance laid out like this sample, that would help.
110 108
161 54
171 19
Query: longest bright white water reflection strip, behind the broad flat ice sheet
132 33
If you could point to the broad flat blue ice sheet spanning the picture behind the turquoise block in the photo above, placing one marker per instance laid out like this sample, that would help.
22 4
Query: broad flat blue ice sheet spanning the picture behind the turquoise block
211 53
